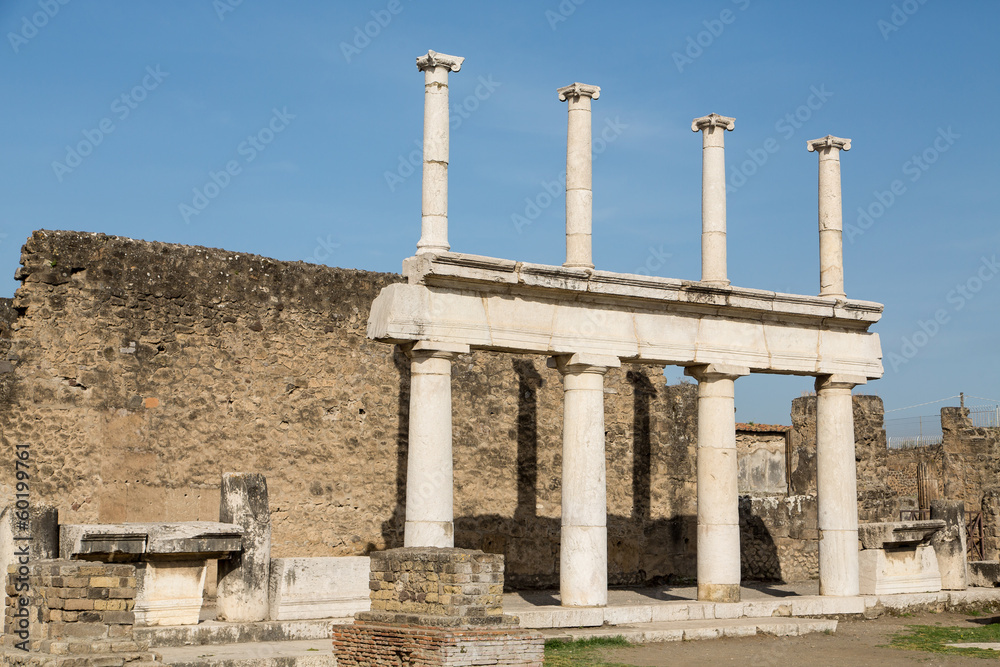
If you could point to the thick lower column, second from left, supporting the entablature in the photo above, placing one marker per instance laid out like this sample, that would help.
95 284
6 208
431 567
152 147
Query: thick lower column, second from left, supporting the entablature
583 552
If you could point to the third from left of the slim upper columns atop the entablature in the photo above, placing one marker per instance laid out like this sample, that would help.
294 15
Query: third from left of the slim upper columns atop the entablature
713 196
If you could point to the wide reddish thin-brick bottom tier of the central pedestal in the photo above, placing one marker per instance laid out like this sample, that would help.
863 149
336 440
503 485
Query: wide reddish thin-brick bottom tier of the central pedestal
366 644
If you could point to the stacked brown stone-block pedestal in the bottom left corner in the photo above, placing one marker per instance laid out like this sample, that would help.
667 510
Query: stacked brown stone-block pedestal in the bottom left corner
78 614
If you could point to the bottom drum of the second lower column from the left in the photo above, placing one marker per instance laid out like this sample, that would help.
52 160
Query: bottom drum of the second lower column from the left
583 566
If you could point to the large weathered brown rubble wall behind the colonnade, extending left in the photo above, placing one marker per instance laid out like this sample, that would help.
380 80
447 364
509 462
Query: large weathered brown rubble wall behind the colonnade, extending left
140 372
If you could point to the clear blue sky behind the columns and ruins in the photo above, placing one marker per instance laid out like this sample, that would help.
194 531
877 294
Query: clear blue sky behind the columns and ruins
318 122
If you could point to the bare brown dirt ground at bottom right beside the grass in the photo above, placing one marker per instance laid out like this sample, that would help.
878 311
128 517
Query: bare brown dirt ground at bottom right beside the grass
854 643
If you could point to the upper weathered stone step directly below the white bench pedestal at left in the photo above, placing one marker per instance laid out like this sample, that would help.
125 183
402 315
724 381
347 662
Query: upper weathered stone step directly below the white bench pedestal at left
218 632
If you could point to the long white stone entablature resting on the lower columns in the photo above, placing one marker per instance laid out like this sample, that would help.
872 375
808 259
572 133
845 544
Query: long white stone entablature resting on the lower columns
509 306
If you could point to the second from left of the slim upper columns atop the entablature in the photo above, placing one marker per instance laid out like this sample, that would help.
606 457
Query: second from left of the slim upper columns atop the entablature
579 174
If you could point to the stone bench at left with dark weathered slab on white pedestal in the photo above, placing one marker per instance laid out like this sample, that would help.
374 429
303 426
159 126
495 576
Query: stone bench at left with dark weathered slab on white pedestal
171 561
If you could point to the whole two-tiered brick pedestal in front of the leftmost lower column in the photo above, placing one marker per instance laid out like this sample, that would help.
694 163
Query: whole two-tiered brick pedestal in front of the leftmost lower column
436 606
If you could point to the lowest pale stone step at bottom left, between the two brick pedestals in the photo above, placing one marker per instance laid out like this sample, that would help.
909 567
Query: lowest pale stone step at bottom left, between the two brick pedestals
302 653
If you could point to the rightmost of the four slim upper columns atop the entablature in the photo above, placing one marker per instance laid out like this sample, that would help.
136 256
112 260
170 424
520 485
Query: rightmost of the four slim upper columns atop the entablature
831 219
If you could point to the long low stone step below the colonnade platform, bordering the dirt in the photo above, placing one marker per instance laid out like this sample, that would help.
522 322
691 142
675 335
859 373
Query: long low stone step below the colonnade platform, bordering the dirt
675 631
